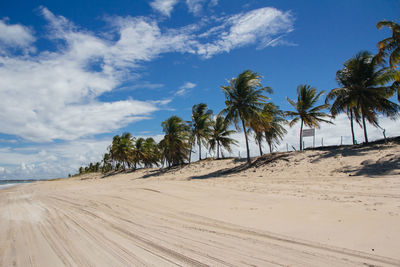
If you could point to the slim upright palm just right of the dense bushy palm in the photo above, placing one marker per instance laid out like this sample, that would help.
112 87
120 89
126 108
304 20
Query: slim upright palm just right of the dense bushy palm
201 123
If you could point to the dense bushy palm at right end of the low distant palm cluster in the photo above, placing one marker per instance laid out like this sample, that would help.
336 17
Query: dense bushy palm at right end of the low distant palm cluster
175 146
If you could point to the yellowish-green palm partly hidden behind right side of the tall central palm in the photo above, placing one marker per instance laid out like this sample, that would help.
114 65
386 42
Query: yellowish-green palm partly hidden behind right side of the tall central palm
274 129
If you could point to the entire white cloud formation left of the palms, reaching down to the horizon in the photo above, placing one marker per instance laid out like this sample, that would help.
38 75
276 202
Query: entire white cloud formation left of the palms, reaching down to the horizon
54 95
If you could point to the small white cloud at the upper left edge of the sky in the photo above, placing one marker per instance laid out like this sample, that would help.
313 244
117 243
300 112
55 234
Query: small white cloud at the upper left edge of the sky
15 36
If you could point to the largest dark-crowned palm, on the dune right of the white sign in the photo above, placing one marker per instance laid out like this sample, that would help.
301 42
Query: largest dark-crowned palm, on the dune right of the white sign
362 94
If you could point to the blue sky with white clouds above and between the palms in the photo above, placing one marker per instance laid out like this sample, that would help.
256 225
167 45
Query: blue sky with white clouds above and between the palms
75 73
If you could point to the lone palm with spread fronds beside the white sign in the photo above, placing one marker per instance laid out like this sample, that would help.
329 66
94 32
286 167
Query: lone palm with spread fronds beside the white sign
308 115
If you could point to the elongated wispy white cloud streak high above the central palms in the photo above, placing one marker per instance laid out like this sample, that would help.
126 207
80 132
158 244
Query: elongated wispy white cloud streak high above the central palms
257 26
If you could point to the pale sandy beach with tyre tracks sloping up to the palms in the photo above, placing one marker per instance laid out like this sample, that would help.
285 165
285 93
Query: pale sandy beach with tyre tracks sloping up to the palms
332 207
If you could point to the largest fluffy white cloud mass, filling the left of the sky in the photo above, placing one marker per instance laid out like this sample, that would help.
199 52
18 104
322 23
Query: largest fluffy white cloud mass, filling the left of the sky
54 95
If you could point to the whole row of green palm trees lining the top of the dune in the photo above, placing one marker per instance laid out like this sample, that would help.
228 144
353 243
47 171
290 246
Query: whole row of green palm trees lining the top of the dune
363 95
